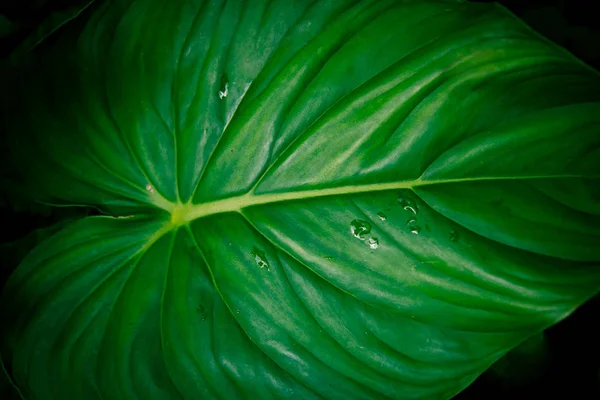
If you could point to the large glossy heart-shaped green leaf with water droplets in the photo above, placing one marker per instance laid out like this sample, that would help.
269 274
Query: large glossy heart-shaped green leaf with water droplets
332 199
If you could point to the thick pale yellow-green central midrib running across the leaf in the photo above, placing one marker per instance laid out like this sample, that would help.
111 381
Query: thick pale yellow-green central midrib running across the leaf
184 213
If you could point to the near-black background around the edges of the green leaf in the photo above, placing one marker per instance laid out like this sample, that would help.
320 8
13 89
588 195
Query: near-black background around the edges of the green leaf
562 363
